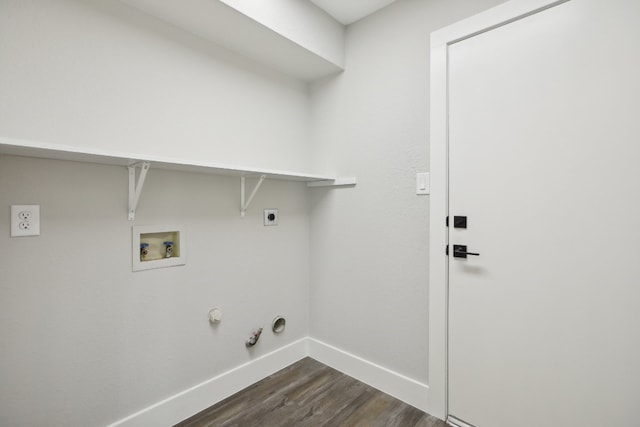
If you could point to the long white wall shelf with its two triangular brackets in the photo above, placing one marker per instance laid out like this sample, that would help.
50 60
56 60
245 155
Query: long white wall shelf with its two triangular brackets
44 150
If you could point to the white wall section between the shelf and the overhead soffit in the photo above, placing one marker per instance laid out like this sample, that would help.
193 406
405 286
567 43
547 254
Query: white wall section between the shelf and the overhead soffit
101 74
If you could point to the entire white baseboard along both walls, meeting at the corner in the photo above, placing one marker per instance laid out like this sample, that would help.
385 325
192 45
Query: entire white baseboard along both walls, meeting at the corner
199 397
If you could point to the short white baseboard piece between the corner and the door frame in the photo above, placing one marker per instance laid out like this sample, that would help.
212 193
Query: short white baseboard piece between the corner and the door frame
399 386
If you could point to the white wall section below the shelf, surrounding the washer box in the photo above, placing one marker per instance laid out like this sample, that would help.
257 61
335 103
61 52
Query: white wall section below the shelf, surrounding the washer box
85 341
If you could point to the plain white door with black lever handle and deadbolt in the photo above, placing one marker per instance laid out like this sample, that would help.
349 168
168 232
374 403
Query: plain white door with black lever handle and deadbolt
544 161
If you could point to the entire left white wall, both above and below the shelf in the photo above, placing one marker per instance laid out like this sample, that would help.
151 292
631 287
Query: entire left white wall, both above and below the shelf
84 340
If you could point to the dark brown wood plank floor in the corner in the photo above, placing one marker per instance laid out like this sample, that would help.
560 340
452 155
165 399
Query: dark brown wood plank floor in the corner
310 394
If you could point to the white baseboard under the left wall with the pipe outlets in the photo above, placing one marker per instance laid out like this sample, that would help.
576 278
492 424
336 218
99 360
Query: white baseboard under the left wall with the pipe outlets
197 398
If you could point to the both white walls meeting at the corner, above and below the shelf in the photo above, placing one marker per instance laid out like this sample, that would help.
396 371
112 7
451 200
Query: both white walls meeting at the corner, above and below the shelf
91 342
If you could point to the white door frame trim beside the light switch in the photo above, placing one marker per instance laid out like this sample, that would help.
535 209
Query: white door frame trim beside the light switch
438 207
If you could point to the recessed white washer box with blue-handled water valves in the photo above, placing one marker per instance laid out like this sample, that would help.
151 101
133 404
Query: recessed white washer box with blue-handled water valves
157 247
